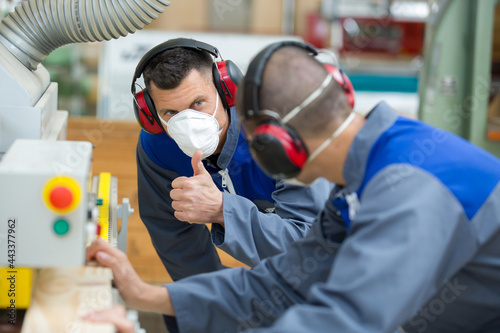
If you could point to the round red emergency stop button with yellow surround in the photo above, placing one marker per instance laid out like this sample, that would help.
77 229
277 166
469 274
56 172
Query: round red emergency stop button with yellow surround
61 194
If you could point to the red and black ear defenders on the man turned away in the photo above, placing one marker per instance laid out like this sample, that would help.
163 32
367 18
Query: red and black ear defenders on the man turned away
276 147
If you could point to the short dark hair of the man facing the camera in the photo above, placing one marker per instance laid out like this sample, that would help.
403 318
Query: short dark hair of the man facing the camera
168 69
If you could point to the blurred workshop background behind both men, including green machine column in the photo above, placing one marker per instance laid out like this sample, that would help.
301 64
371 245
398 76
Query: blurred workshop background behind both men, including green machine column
426 58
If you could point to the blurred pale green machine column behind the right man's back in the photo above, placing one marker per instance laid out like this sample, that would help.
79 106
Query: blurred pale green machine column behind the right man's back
456 79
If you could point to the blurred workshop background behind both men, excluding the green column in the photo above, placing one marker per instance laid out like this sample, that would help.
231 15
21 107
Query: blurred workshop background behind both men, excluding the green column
379 43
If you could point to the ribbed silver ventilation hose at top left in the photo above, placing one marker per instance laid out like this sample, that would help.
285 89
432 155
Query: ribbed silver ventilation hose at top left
38 27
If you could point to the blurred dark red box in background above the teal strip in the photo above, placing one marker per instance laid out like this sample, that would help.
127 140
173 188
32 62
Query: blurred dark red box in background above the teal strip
382 35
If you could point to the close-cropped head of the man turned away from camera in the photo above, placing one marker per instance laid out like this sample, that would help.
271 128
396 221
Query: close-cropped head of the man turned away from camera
290 76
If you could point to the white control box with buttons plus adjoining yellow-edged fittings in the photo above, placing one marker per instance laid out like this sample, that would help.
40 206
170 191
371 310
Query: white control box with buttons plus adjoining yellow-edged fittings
50 207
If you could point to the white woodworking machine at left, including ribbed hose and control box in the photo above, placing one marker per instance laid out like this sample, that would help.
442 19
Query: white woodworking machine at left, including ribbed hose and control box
50 205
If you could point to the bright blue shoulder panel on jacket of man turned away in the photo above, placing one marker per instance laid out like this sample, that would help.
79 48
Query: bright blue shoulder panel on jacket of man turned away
469 172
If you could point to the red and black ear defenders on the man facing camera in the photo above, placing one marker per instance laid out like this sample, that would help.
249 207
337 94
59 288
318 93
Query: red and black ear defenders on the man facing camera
226 76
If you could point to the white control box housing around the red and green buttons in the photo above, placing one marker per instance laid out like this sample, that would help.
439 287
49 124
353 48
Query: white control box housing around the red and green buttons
24 173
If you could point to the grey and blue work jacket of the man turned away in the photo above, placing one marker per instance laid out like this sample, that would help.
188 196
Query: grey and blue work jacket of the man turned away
410 244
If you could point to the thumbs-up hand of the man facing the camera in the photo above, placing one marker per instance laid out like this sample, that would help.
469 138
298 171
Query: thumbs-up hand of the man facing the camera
197 199
